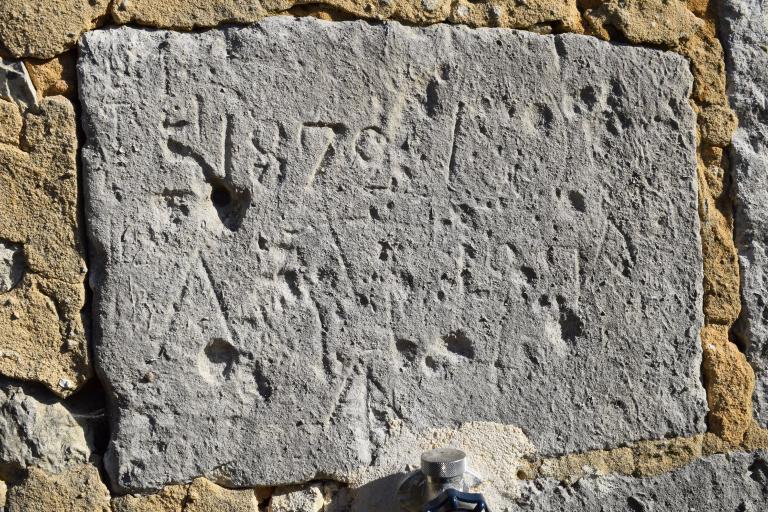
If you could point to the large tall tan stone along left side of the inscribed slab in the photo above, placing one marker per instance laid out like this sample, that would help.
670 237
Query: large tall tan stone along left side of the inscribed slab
42 336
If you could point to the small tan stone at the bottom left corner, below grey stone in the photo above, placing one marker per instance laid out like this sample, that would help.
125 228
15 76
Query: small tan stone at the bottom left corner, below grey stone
76 490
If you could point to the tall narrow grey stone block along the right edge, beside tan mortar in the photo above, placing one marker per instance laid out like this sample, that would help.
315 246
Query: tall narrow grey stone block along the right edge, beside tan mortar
745 33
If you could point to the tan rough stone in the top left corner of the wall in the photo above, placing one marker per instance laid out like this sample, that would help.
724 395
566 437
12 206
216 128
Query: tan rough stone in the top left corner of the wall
45 28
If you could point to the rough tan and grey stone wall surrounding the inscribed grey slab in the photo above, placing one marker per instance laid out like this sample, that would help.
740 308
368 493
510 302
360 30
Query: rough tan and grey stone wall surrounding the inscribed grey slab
53 413
